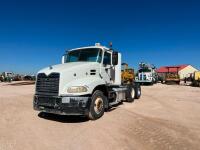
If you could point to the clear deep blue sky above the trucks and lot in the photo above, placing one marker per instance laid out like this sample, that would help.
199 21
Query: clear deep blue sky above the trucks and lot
34 34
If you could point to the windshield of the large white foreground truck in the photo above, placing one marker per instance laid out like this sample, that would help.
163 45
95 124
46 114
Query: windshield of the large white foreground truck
88 55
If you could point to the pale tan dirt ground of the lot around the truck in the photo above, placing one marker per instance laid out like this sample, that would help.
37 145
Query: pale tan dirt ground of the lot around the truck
166 117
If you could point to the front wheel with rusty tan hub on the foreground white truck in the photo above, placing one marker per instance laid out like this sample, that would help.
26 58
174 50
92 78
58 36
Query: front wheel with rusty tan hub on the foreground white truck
97 106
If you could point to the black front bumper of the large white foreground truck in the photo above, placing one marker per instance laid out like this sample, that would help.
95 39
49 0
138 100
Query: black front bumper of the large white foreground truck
69 105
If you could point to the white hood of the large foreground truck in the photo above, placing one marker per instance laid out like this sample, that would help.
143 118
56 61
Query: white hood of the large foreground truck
74 74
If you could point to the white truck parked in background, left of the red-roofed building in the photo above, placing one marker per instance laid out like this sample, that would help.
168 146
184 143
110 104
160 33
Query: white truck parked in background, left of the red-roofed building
146 74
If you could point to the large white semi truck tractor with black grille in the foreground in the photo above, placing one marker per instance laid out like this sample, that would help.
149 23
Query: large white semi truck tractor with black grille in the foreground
88 82
